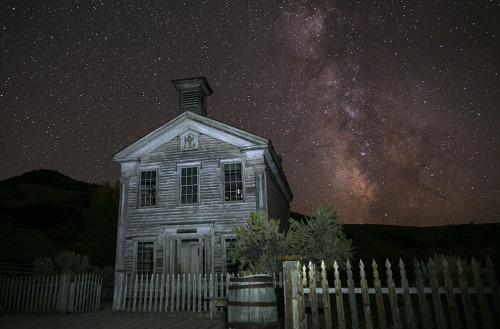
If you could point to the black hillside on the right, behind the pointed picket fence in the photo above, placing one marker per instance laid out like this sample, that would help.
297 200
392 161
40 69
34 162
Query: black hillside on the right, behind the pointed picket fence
381 242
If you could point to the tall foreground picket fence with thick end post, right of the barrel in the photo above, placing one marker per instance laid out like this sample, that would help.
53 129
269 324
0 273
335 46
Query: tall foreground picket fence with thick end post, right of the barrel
425 305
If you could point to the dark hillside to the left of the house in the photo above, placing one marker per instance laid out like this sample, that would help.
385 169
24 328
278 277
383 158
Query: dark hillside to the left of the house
72 214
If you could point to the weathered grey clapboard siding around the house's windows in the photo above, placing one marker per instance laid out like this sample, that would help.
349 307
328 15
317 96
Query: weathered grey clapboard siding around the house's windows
149 224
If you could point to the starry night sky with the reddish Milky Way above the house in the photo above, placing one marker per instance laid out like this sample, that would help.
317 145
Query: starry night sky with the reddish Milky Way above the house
387 109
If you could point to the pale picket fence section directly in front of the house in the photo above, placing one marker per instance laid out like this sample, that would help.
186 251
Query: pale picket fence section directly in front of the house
171 293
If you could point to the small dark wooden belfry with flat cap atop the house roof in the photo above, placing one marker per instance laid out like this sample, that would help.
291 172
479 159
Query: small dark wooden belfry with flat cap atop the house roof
193 94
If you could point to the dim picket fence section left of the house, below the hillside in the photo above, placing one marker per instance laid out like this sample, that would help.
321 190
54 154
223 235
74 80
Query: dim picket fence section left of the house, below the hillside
58 293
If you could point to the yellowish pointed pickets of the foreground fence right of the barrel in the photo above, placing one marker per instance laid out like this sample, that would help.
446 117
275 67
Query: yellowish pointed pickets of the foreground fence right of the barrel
482 314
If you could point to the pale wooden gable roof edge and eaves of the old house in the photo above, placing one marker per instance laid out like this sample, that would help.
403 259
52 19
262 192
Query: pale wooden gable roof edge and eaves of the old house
188 120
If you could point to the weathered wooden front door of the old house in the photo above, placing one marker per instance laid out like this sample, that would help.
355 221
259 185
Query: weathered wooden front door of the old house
190 256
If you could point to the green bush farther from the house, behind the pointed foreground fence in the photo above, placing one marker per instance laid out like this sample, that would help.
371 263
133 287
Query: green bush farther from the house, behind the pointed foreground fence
320 238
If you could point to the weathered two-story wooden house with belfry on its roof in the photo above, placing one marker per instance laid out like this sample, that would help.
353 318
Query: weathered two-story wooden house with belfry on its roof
185 186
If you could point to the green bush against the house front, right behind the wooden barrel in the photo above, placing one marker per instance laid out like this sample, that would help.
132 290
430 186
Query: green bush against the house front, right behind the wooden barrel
258 243
